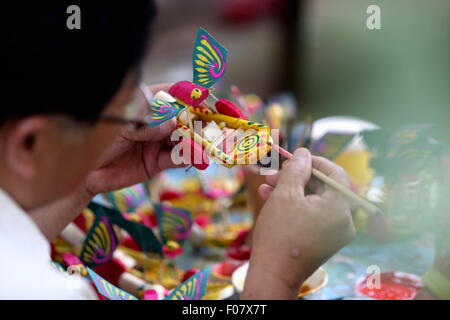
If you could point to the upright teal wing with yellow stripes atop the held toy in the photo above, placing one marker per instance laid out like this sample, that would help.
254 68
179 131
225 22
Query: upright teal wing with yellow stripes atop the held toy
209 60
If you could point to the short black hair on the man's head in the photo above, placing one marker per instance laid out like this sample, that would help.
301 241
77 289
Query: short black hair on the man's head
48 68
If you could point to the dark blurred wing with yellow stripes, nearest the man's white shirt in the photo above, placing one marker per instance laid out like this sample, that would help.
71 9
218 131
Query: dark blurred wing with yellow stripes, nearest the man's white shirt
99 244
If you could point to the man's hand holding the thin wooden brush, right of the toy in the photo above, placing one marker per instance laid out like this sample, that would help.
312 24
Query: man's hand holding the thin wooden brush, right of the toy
296 232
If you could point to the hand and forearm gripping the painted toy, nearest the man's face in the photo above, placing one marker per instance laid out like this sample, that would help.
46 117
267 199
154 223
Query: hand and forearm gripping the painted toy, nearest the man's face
133 157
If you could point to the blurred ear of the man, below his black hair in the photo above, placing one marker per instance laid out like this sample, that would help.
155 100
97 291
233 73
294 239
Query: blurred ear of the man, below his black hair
20 145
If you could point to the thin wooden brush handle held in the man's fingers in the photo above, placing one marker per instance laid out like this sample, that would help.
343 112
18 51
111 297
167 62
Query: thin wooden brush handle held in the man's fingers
335 185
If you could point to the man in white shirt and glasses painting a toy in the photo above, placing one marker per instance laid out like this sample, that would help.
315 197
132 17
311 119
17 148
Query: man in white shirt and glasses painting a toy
64 137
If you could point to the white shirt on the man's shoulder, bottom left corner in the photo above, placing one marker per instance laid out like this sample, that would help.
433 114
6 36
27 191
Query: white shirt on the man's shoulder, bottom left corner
25 264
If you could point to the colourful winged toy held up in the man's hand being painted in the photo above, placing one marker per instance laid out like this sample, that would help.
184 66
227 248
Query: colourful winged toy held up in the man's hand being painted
187 102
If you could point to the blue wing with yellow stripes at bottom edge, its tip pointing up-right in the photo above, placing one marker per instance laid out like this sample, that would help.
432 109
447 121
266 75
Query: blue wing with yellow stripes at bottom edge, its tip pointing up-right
192 289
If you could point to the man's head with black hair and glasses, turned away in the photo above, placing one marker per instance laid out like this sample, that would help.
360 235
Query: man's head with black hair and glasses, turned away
58 82
